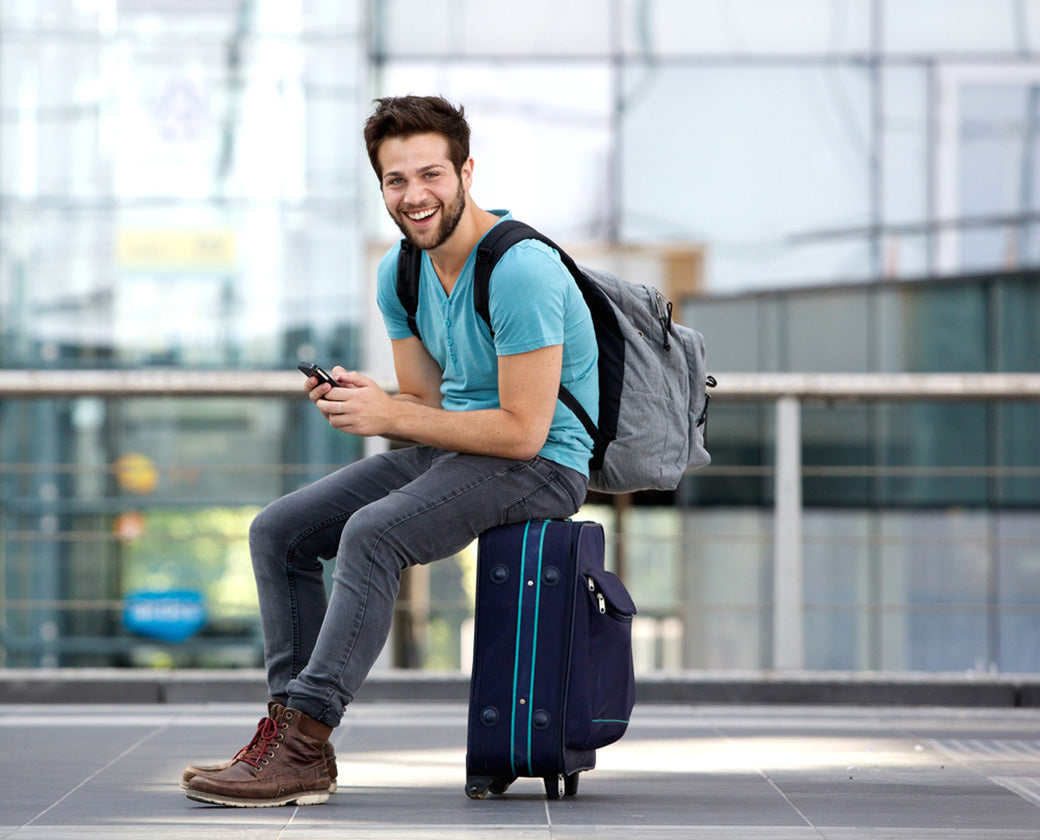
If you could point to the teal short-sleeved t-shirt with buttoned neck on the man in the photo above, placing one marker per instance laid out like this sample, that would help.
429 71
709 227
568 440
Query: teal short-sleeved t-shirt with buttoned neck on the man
534 303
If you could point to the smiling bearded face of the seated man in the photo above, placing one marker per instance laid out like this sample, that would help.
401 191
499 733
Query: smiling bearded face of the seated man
423 193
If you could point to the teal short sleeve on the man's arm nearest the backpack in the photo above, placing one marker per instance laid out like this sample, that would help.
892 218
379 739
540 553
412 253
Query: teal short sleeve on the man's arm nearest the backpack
530 288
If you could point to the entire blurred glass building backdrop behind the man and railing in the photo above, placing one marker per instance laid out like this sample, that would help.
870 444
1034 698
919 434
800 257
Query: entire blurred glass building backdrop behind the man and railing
823 186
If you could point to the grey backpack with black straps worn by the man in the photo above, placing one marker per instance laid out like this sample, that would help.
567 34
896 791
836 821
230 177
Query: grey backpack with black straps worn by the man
653 384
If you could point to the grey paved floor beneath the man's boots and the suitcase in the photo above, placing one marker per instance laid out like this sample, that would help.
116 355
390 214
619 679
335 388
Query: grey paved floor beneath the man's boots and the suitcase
769 773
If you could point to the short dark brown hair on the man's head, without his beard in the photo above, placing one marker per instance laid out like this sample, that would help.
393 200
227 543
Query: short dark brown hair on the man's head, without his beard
403 117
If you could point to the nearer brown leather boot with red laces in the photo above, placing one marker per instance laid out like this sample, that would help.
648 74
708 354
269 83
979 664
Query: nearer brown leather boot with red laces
285 765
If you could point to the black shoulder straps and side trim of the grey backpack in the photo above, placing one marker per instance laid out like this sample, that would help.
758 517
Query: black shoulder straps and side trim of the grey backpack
609 338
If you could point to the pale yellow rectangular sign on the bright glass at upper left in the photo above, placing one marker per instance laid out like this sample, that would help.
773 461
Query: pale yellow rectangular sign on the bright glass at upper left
177 248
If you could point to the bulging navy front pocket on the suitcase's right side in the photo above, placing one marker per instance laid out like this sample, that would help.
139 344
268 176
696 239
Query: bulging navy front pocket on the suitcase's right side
603 688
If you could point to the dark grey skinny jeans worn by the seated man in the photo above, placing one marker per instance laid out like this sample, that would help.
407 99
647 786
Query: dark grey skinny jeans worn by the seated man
377 517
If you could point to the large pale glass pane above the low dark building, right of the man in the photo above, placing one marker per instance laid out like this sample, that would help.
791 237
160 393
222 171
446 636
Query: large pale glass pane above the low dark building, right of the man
761 207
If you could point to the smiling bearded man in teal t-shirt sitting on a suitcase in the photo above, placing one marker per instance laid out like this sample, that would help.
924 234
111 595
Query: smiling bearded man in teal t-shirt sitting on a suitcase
492 447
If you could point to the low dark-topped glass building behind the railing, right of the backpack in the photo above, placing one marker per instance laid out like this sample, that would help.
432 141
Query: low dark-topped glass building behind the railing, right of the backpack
922 533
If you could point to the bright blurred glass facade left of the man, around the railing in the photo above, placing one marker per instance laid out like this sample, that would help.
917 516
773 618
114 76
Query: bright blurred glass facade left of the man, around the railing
171 174
